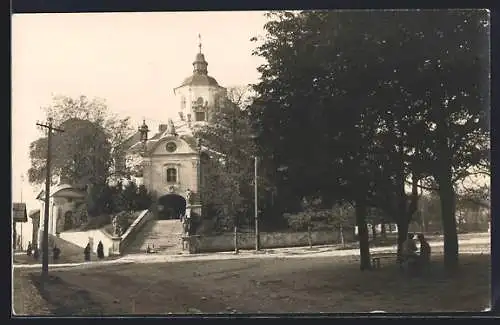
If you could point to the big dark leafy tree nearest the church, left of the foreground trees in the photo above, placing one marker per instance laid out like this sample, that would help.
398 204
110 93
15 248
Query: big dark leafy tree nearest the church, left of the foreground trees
319 131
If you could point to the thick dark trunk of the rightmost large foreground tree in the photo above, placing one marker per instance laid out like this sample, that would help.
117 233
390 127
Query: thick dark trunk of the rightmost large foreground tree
447 200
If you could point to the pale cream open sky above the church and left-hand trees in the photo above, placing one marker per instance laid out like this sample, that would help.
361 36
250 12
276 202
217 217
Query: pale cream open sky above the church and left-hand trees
132 60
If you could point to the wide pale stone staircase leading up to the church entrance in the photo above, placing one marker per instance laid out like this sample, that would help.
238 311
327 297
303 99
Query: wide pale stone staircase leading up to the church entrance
164 236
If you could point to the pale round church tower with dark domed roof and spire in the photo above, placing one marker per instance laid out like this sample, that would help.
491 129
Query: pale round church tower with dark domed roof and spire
199 95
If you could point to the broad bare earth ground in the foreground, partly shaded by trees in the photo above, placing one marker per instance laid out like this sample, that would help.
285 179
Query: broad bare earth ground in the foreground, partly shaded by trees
278 285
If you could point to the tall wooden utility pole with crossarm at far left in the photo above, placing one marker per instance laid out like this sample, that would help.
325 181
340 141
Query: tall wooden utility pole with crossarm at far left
45 242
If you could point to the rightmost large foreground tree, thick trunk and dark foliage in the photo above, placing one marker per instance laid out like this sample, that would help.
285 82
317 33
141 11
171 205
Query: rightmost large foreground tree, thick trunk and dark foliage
451 84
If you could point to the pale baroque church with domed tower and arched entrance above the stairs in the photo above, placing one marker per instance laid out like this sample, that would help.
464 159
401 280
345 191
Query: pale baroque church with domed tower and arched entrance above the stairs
172 163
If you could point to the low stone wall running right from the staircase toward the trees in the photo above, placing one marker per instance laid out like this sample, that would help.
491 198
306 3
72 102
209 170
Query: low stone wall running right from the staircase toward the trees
225 242
